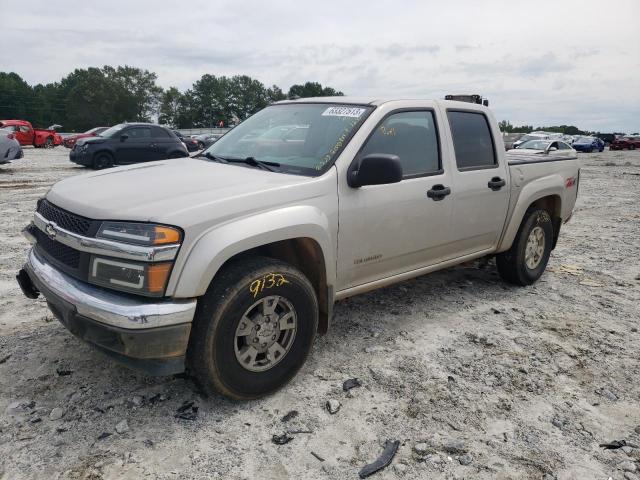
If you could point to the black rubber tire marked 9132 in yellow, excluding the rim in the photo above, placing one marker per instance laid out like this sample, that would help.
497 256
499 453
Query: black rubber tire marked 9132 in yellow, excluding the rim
212 355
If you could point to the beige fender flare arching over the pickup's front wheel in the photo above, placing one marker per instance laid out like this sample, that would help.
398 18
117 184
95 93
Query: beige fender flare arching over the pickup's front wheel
219 244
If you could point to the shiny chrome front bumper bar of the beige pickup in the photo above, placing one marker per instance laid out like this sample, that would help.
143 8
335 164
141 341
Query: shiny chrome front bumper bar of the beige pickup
108 308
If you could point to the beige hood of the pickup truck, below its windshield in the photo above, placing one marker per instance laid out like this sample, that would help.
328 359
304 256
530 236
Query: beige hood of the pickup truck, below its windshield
175 191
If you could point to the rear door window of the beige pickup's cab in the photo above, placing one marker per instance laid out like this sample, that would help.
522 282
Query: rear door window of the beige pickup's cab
472 140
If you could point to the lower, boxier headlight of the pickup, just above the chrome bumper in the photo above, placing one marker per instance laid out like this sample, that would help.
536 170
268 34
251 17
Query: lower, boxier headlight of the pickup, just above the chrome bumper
148 279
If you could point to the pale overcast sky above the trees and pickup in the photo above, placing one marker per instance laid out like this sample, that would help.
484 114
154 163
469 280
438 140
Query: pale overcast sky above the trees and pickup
539 63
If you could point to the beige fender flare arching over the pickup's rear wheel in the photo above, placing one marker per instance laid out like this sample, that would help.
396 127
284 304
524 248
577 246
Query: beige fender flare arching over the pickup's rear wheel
552 185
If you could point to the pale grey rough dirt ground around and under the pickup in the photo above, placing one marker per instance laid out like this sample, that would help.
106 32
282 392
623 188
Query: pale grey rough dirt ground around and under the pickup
476 379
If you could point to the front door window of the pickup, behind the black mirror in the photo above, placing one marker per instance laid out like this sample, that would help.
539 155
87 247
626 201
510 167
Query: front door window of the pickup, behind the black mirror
412 136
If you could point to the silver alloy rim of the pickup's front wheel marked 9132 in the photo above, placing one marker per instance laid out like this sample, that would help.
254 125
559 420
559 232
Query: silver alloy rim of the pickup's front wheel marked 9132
265 333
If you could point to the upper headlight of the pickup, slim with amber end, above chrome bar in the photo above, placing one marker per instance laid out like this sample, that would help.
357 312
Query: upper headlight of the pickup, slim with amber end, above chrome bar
139 233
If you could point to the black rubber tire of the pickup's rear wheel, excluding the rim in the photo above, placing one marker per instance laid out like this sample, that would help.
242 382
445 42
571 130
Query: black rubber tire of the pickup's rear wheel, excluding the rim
512 265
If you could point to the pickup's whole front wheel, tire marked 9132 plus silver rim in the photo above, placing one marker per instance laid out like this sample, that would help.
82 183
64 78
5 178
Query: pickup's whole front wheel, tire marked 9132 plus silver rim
253 328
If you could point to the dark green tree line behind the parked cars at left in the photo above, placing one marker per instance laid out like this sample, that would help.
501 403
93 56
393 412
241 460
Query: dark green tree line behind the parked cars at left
105 96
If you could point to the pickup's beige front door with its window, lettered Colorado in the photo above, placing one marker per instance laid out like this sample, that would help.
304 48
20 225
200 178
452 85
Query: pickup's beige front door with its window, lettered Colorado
386 230
